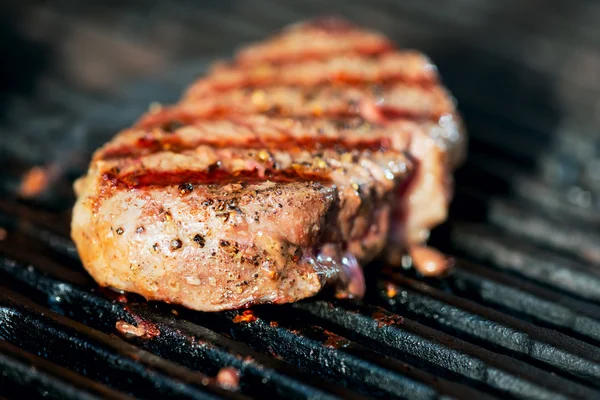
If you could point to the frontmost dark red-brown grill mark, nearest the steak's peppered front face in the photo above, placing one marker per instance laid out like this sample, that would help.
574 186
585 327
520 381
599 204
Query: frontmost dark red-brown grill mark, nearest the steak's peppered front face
149 178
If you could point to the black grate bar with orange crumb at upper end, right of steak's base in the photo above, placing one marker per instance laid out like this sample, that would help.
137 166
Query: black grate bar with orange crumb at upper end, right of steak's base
479 324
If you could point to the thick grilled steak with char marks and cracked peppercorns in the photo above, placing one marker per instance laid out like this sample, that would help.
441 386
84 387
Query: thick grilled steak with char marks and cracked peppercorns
276 175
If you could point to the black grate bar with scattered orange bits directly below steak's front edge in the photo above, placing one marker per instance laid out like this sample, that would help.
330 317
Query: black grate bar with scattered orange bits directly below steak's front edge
314 348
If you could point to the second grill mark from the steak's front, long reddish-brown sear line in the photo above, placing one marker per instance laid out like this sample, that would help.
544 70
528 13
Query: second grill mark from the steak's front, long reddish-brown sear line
149 144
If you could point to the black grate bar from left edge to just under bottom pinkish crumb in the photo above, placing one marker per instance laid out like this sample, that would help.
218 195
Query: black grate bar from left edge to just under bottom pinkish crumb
104 359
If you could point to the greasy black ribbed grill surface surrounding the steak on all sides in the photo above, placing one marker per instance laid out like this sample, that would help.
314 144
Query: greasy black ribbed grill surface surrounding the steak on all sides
519 317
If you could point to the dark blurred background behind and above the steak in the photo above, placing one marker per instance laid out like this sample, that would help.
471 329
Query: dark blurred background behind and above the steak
526 74
